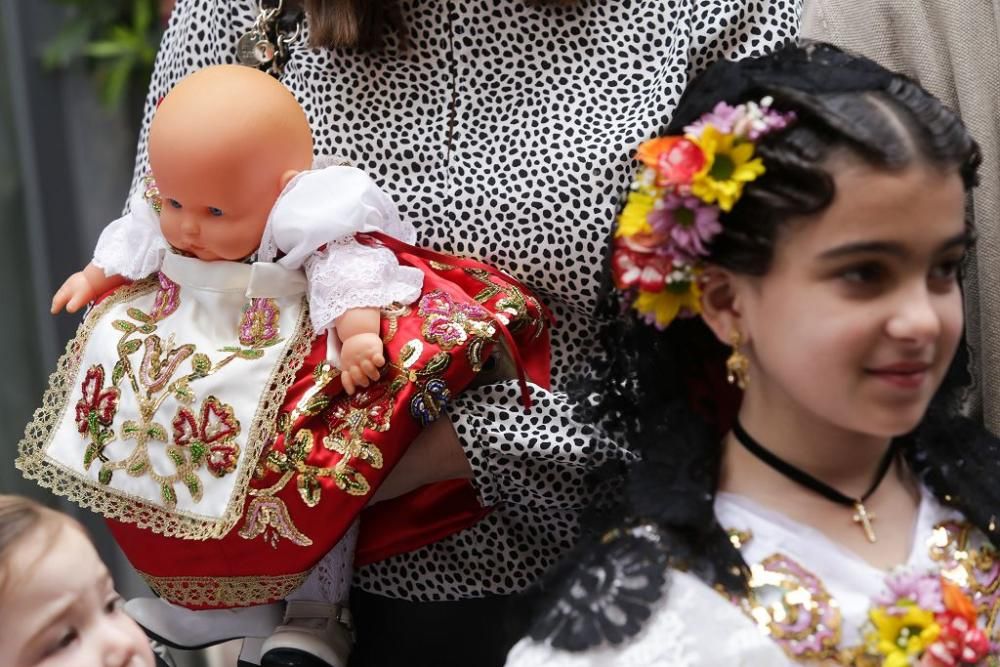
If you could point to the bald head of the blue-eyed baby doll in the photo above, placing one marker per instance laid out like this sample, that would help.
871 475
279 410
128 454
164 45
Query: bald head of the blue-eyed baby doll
222 145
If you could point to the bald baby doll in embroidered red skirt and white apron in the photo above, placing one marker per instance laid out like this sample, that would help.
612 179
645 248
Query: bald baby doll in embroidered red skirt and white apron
200 407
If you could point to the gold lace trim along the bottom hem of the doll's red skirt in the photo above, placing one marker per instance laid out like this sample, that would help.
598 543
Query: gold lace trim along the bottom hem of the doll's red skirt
224 591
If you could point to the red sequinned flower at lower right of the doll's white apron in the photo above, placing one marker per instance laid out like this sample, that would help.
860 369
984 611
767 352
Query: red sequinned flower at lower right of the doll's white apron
211 436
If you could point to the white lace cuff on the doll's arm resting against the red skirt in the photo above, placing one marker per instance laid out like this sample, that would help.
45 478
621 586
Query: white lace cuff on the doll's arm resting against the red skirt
349 274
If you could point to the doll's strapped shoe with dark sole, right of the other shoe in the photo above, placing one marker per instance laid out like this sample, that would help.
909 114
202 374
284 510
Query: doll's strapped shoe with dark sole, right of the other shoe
313 634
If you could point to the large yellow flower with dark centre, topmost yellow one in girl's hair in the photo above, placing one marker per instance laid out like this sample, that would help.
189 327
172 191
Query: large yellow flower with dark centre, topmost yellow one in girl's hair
728 166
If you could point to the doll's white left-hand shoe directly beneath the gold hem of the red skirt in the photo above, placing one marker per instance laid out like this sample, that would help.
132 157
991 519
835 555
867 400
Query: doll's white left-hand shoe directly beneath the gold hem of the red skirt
179 627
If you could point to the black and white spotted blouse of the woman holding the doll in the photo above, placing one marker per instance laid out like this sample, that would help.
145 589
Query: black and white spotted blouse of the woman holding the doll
504 133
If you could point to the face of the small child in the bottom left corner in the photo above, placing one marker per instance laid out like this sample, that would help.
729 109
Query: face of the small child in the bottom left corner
59 608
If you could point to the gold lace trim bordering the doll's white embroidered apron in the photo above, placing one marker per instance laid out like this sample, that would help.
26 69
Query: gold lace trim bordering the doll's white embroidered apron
116 504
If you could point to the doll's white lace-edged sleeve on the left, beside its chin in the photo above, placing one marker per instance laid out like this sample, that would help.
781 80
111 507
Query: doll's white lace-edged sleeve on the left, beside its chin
132 246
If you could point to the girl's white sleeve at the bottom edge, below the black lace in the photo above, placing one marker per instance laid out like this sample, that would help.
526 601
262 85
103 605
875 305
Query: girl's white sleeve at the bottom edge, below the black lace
692 627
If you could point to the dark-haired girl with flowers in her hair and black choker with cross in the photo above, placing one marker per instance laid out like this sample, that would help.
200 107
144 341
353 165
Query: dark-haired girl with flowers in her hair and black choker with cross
815 219
